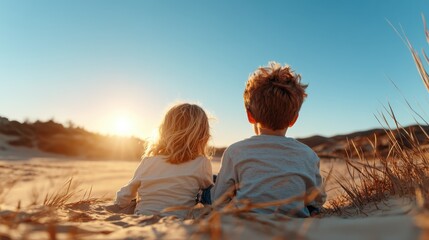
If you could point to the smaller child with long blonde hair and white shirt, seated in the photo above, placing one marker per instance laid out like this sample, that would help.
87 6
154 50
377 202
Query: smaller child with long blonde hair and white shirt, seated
175 167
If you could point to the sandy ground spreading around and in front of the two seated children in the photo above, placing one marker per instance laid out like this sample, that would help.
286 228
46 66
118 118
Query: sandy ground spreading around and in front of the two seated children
36 177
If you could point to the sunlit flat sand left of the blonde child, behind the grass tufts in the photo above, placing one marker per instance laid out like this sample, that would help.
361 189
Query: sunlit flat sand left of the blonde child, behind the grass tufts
43 175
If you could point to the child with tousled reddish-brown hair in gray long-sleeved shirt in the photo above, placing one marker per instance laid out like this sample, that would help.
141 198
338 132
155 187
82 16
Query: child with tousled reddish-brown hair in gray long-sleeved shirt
270 166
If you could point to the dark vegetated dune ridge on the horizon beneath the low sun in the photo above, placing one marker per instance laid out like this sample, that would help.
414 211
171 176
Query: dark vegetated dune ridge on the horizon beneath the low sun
74 141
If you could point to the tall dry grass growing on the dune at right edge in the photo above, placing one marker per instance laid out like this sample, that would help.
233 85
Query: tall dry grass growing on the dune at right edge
403 172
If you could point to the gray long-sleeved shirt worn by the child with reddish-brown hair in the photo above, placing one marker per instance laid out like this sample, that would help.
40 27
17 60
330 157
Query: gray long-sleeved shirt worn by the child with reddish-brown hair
266 168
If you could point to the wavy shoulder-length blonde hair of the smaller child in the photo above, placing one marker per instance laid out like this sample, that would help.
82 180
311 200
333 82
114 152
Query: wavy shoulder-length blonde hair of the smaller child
183 134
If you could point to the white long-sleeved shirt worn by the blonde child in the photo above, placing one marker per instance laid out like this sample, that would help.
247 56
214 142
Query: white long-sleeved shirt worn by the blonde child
161 184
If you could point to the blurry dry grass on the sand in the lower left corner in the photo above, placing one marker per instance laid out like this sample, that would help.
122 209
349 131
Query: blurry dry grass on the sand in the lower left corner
44 219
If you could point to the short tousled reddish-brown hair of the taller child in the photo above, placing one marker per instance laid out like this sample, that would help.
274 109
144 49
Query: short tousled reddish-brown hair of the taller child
274 95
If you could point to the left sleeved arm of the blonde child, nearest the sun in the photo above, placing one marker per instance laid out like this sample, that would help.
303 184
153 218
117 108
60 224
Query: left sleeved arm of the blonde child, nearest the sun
127 193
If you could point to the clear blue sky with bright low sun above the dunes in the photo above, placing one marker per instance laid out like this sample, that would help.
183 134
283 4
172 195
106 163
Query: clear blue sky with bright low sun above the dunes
116 66
